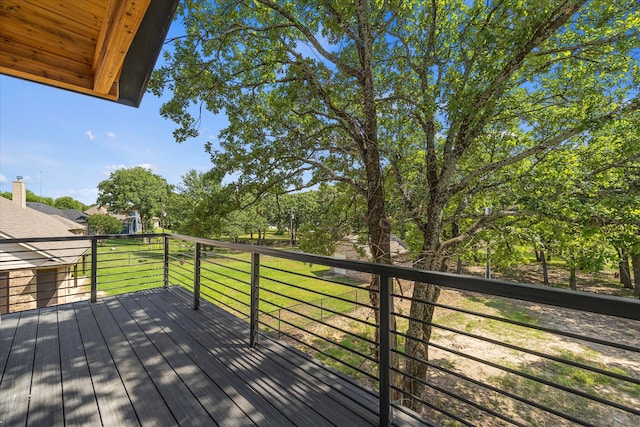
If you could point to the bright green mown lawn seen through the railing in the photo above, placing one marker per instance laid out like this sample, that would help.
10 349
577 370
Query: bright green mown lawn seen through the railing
130 265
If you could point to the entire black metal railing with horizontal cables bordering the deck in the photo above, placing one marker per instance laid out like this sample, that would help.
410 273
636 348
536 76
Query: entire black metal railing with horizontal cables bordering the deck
494 353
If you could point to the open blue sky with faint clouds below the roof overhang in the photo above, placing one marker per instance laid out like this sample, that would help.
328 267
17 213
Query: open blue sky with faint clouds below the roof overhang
64 143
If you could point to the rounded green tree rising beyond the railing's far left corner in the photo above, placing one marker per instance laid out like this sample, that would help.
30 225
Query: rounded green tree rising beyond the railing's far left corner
135 189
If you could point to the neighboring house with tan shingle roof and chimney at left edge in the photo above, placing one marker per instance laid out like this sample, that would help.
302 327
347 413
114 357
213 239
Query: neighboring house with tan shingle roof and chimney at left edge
37 274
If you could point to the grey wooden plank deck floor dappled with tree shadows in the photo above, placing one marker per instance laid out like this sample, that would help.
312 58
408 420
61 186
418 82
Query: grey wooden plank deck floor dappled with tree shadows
147 358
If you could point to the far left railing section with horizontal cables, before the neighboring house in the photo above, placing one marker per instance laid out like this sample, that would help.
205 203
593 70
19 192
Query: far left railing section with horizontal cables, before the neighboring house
41 272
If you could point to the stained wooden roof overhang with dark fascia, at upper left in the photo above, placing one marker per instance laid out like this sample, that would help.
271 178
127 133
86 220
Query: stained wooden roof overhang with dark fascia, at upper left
103 48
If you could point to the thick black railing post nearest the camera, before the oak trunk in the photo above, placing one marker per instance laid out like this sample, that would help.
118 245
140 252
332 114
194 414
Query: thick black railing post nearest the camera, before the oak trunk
385 351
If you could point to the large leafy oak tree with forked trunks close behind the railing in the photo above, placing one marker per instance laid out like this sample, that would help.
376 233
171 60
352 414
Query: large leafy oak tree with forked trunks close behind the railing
454 99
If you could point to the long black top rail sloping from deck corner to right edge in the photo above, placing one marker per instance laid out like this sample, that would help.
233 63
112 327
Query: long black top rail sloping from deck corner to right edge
594 303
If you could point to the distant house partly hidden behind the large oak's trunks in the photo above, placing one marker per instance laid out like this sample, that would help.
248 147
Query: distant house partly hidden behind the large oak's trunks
350 247
